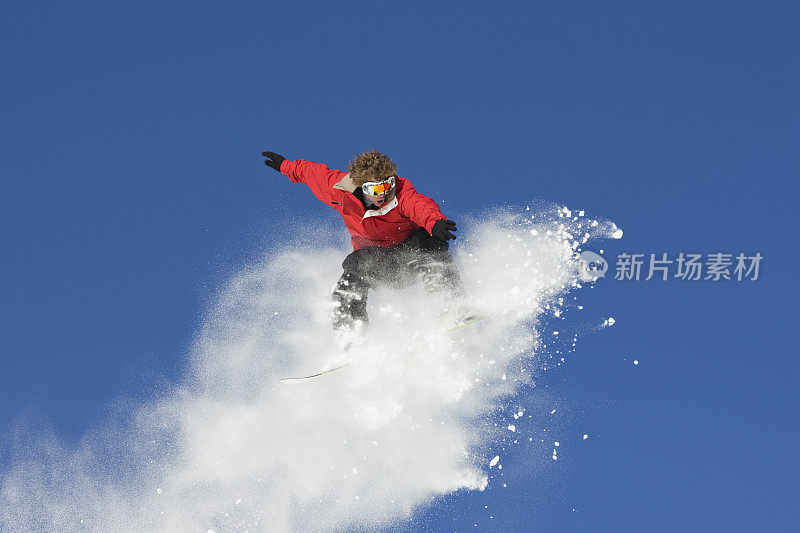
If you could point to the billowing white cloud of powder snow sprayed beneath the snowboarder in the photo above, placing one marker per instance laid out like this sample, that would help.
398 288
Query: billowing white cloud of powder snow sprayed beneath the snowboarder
232 448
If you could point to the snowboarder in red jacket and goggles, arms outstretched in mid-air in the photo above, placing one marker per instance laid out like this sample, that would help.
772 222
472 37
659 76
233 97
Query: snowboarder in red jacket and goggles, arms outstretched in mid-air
398 235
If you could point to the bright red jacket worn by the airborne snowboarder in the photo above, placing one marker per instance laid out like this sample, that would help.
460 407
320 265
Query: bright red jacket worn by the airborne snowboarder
387 226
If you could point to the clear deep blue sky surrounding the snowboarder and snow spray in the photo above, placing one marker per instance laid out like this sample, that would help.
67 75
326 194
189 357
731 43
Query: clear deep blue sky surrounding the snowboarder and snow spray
132 186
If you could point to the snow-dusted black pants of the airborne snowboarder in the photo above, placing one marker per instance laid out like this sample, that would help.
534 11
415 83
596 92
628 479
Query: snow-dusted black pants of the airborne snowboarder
418 258
